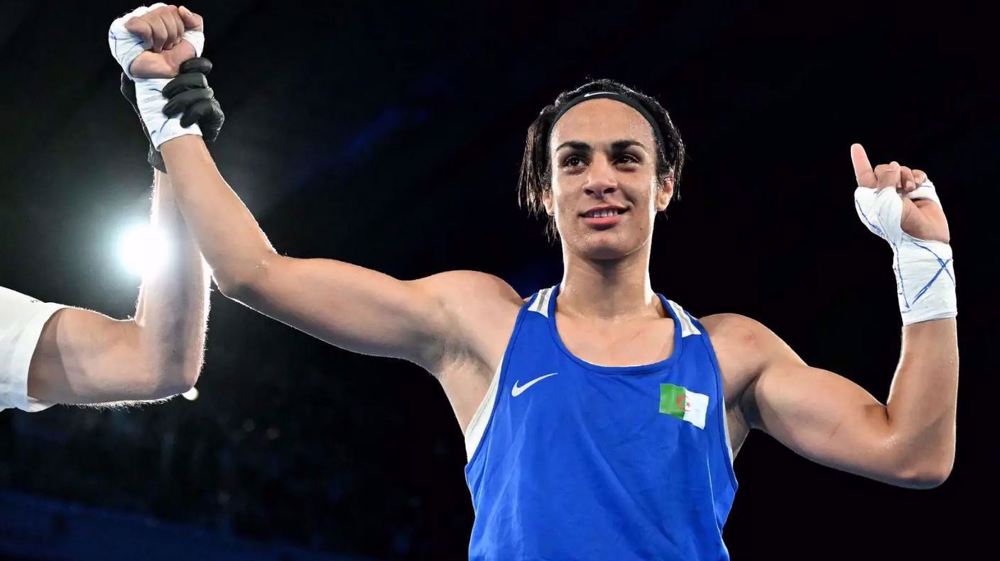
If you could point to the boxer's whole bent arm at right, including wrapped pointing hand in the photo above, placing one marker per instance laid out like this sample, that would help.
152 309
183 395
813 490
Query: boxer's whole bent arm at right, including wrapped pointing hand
909 441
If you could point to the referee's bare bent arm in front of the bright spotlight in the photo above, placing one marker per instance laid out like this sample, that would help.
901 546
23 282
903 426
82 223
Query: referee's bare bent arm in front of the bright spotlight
84 357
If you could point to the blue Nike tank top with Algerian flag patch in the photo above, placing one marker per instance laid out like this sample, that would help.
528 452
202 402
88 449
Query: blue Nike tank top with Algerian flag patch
585 462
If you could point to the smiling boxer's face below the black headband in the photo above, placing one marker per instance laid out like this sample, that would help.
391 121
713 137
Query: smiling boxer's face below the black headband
603 154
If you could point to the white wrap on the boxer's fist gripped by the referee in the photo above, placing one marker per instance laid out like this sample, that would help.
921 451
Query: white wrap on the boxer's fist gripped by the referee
126 47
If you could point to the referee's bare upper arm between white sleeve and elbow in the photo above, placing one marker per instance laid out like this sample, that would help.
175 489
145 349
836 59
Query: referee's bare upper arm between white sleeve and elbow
86 357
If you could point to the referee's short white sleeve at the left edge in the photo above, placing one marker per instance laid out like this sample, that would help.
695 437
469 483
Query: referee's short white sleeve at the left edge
21 322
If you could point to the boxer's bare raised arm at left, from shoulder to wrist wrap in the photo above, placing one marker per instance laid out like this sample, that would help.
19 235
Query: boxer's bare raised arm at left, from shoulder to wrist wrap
348 306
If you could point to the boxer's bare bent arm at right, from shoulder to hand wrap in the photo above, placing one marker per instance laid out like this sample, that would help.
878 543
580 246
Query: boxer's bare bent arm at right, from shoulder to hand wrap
909 441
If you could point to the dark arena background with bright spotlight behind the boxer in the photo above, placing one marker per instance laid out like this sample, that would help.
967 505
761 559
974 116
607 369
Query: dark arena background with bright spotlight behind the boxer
389 135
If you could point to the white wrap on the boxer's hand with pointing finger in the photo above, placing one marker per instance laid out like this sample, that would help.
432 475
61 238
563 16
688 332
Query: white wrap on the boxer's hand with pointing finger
925 273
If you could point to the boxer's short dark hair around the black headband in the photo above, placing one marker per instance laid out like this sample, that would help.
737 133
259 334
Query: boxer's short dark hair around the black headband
536 171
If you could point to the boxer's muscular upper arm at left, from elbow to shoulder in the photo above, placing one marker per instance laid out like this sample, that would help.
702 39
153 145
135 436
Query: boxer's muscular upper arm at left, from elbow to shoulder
359 309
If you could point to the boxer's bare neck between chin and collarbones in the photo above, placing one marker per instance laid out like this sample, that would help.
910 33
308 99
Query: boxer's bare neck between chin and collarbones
613 290
